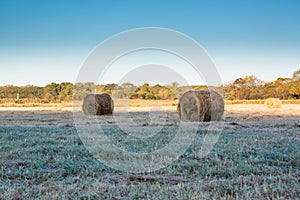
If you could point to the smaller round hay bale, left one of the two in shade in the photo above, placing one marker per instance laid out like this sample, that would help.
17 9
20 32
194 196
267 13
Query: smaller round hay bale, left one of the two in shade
97 104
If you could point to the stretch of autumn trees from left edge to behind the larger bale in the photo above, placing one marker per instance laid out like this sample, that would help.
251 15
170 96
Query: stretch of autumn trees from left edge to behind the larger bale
67 91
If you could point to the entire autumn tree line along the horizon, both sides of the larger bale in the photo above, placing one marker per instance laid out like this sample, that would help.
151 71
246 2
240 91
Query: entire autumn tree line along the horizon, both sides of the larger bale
246 88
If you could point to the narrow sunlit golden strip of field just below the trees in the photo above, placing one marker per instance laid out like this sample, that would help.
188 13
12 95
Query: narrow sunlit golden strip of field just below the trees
122 102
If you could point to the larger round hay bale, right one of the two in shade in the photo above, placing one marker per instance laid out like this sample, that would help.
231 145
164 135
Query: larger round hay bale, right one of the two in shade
201 106
